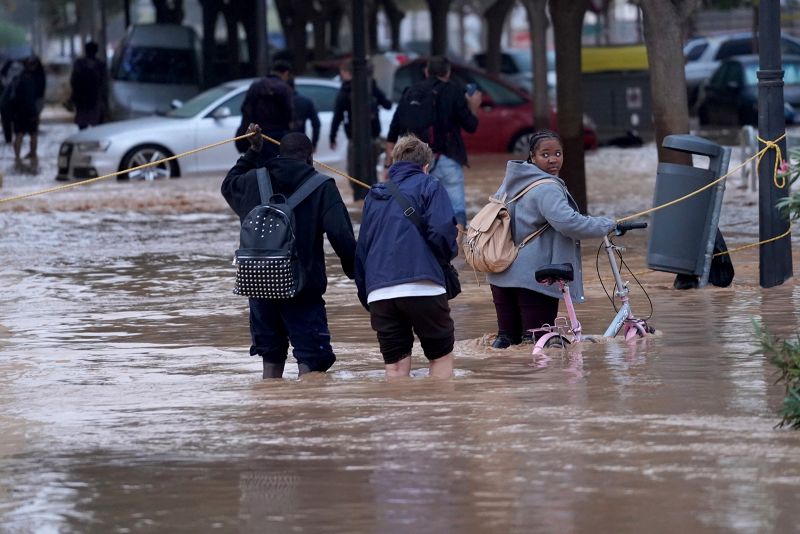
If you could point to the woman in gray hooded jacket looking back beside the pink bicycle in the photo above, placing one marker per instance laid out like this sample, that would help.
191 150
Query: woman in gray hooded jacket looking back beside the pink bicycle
520 301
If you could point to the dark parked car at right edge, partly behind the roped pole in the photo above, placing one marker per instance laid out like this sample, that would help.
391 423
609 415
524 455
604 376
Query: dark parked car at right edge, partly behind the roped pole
731 95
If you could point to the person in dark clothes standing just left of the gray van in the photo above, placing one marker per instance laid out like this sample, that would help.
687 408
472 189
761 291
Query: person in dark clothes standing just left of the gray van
89 85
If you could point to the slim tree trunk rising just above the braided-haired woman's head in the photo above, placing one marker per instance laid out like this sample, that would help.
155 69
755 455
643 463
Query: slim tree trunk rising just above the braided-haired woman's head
538 23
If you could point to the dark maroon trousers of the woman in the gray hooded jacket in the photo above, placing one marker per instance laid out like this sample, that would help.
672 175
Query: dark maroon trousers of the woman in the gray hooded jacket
520 310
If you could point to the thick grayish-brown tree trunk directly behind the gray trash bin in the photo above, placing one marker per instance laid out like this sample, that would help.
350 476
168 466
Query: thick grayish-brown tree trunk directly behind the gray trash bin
664 24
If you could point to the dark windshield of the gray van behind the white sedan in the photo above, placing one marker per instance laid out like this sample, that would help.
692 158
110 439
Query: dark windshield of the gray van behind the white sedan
148 64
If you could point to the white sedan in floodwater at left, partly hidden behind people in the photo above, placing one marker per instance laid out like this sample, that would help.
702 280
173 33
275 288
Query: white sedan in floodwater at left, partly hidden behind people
207 118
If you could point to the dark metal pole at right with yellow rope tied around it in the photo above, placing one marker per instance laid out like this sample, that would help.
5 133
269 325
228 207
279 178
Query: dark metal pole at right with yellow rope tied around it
775 258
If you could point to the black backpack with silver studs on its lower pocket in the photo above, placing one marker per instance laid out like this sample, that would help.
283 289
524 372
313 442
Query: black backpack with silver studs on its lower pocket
267 264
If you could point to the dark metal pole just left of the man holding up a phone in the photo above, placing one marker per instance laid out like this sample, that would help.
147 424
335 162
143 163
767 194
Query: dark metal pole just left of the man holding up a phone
359 103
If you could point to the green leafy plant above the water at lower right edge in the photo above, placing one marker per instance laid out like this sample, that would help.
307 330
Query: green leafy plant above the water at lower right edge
785 356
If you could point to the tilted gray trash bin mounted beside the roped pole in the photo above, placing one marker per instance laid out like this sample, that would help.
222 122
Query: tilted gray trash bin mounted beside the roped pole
682 235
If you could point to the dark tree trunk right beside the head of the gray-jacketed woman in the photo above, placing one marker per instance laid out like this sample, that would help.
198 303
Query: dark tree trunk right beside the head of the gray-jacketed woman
567 18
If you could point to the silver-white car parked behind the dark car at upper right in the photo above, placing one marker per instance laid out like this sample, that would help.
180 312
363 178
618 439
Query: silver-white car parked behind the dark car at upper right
704 54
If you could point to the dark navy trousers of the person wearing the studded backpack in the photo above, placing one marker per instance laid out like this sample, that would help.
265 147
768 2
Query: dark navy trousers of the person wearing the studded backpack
303 322
